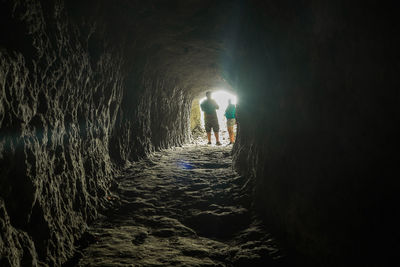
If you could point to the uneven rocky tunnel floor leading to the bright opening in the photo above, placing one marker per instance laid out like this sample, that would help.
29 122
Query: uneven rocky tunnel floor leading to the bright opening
184 206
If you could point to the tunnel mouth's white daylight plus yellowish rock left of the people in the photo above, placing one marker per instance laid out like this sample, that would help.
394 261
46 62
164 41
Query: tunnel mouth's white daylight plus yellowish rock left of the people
197 117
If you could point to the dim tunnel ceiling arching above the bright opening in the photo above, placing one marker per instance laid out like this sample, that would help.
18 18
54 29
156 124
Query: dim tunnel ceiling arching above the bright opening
180 40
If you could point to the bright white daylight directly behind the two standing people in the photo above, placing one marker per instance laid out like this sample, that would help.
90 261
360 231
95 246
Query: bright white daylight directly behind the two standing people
221 97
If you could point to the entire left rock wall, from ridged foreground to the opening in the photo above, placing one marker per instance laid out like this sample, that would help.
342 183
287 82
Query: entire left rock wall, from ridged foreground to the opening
73 111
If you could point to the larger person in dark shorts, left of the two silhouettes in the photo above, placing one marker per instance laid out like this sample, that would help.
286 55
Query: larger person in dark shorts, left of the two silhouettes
209 107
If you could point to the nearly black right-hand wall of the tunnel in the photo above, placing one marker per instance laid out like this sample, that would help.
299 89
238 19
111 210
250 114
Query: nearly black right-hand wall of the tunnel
318 111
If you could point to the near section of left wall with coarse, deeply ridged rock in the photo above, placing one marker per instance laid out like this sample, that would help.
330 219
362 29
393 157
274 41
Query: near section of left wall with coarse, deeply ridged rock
58 108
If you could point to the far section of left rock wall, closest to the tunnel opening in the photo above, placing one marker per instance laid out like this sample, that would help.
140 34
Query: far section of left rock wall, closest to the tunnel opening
154 115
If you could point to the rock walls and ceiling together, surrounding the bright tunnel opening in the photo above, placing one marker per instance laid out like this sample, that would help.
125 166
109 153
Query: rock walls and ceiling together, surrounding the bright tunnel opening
87 86
